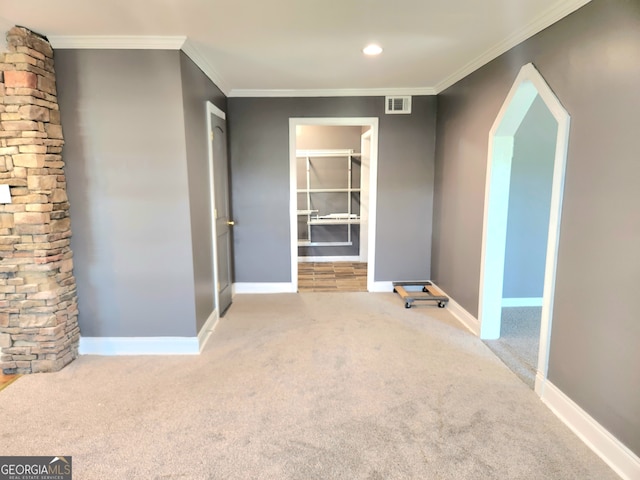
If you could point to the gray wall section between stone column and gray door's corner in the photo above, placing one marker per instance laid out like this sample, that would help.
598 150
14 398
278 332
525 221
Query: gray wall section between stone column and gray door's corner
122 117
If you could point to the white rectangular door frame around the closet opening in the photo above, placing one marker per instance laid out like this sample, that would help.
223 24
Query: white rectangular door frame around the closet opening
371 122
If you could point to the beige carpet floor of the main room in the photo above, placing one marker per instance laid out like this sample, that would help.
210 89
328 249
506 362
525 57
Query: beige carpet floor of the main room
300 386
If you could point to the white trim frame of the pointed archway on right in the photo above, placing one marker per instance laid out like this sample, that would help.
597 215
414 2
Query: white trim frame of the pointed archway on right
528 84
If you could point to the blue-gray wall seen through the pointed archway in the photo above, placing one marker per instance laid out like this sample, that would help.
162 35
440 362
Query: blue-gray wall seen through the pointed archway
530 203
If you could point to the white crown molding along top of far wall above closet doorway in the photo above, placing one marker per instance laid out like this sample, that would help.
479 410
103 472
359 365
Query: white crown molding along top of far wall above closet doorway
329 92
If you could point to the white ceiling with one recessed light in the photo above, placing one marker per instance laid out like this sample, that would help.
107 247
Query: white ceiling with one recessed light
292 47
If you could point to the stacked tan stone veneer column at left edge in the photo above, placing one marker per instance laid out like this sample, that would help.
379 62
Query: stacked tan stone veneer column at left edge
38 302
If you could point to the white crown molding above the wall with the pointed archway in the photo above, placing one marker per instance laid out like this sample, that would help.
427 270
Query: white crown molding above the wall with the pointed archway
557 12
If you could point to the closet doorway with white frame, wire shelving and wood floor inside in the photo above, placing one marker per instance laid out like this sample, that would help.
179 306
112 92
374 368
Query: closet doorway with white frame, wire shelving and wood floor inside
333 170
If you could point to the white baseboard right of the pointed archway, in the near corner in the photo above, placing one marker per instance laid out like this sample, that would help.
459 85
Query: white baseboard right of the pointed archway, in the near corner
622 460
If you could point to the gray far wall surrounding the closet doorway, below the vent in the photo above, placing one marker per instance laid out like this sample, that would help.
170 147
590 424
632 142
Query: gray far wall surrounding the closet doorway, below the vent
259 147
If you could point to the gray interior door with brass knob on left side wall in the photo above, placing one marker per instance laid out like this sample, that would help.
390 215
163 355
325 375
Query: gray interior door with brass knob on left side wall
221 212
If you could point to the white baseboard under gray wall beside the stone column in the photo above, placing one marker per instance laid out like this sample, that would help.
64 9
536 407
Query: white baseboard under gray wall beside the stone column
114 346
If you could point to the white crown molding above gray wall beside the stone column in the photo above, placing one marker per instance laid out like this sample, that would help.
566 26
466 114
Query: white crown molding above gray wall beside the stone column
117 42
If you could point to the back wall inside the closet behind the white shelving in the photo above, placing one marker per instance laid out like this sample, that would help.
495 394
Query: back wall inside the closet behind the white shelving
330 173
